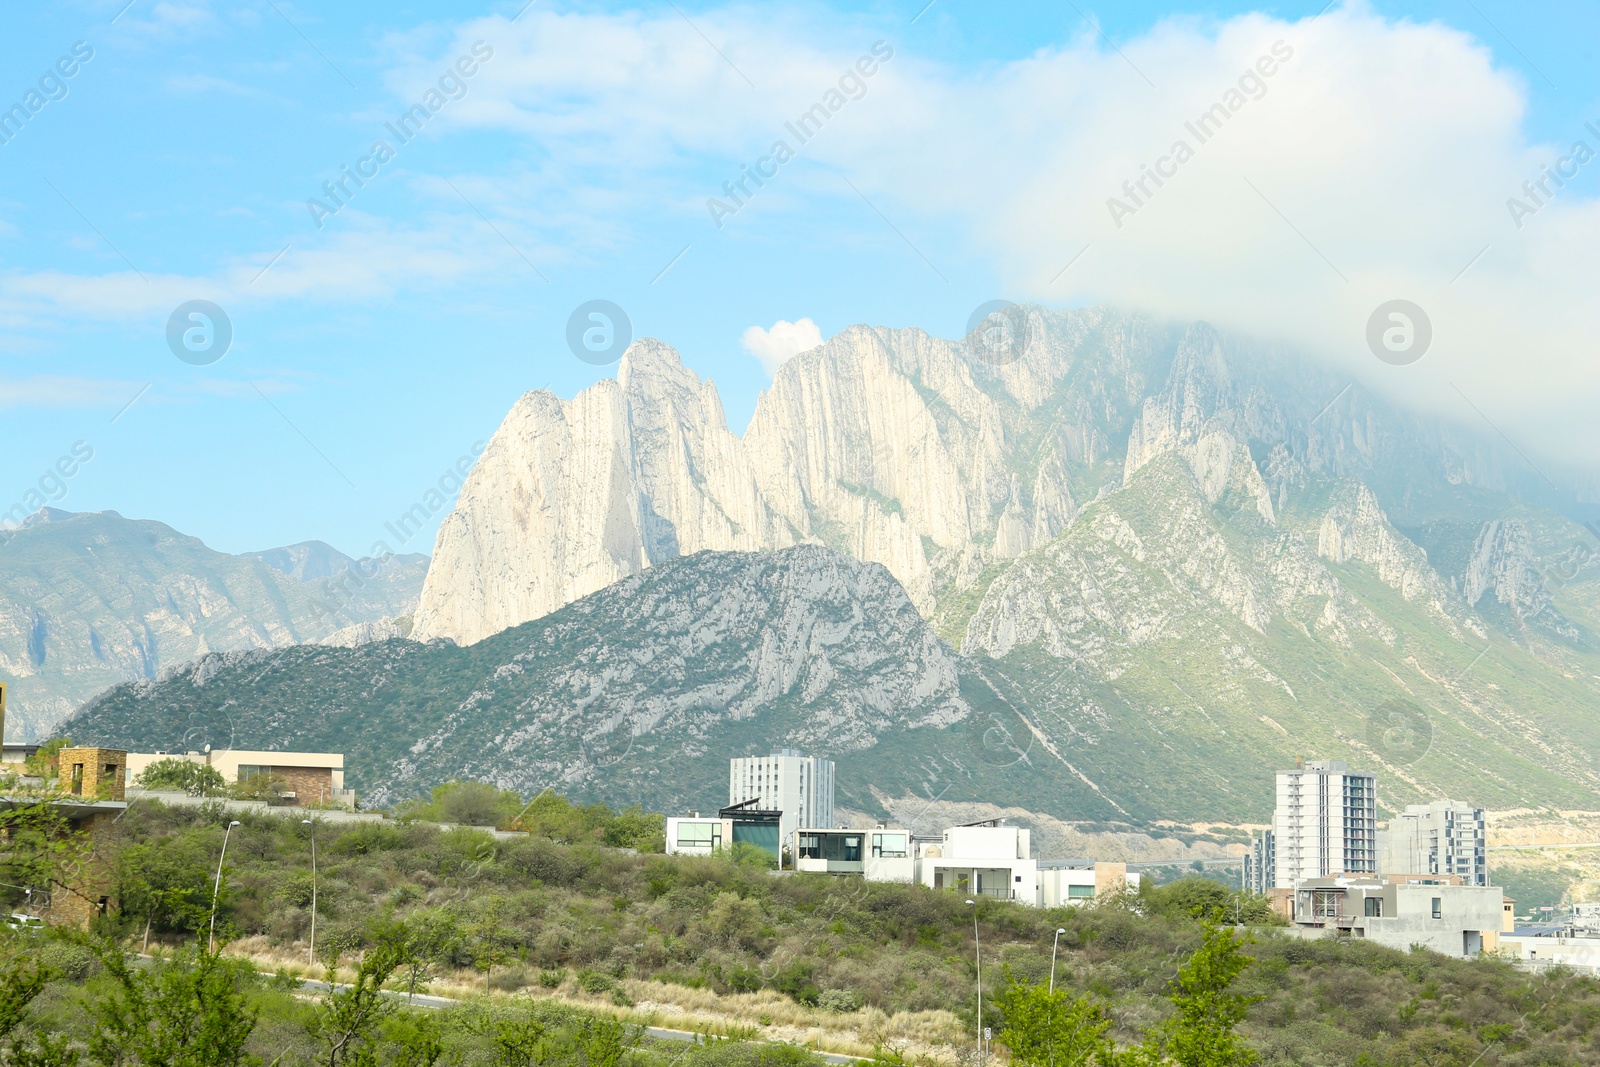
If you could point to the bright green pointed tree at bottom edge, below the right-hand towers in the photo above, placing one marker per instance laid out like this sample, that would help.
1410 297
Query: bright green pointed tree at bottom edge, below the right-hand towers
1202 1033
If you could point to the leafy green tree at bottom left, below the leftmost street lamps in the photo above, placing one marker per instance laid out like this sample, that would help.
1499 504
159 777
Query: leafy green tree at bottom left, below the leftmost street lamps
191 1012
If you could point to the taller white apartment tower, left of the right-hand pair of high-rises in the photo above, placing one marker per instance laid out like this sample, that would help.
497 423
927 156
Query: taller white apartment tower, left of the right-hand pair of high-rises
1326 823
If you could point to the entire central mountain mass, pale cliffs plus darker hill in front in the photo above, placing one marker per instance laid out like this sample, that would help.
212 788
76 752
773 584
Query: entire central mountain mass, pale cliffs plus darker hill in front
1164 564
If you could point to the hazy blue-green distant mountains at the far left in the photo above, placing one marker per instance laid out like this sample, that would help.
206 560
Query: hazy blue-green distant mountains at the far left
90 601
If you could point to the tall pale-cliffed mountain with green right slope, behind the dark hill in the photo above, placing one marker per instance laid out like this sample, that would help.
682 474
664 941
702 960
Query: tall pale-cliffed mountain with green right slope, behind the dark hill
1156 541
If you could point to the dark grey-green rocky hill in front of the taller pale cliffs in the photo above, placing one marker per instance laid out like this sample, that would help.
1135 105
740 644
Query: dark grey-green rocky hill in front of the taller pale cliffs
636 693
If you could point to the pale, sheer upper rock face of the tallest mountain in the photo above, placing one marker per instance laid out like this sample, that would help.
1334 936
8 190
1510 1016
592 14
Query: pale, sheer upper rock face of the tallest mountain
916 454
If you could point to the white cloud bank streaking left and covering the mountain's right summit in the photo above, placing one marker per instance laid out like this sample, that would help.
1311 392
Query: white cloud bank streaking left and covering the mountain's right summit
1374 164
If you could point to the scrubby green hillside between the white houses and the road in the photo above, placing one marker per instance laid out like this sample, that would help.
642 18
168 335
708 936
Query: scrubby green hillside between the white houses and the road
610 929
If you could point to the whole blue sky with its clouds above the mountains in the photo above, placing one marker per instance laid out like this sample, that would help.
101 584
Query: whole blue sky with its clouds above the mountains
374 350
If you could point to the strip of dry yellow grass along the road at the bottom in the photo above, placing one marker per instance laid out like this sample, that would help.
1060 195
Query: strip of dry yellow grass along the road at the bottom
764 1015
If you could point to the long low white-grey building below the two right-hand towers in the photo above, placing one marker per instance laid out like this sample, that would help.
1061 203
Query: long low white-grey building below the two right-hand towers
1454 921
